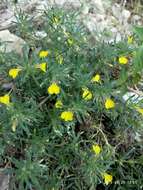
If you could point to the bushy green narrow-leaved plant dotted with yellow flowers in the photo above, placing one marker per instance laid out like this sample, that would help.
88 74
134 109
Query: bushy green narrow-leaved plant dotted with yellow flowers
63 121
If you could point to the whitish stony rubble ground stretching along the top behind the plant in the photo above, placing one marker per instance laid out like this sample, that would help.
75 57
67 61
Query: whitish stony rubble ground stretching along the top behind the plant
95 14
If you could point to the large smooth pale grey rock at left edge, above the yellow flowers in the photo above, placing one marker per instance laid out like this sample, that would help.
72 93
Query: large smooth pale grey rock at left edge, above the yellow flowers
10 42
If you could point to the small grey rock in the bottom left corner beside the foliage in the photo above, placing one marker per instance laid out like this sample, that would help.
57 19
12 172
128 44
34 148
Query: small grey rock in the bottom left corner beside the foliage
4 181
